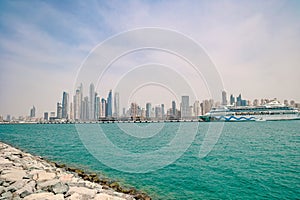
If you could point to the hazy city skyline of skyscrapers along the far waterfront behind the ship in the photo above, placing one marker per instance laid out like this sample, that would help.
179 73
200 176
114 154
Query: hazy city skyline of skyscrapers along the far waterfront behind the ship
93 108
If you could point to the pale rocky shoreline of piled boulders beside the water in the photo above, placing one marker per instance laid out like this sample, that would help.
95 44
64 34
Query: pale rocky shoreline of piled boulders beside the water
28 177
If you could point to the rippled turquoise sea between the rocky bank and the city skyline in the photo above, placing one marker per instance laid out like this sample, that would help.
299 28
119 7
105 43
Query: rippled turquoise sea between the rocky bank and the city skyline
248 160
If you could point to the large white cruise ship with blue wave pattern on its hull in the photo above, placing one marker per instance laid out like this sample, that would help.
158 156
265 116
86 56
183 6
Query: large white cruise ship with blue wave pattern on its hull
268 112
